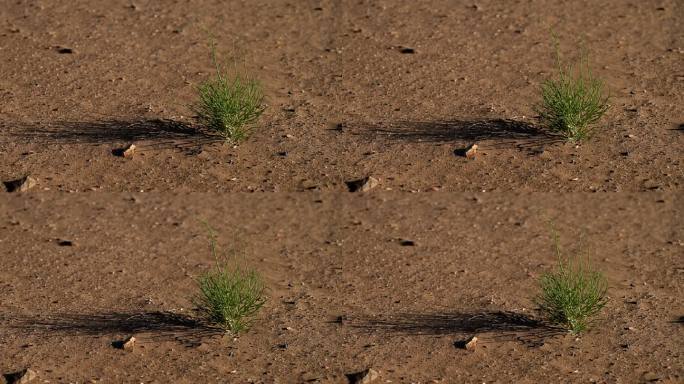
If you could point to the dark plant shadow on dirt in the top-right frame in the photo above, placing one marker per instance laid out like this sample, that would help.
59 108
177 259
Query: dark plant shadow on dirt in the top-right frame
502 132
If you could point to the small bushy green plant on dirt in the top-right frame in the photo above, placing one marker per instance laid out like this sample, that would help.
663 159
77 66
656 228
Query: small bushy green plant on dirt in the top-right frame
572 103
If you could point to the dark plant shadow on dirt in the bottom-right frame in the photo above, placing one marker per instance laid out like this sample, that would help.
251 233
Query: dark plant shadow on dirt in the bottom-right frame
499 325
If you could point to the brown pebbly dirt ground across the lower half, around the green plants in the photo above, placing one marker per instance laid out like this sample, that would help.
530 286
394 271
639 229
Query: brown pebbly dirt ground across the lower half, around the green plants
345 294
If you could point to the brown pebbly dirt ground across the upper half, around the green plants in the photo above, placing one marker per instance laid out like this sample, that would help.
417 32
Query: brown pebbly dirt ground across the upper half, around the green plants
340 86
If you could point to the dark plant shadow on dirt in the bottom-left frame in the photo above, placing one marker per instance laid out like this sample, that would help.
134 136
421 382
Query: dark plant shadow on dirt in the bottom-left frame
156 325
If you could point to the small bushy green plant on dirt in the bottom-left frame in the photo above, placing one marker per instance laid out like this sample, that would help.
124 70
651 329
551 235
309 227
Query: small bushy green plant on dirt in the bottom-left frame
230 296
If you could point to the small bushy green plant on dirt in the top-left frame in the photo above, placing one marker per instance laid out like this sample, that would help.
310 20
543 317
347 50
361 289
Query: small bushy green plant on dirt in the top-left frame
229 104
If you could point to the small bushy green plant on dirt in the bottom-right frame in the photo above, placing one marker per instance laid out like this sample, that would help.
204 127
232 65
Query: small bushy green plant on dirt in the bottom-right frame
573 293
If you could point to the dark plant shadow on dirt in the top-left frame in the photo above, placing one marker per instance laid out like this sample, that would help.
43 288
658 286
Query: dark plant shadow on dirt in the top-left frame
146 133
